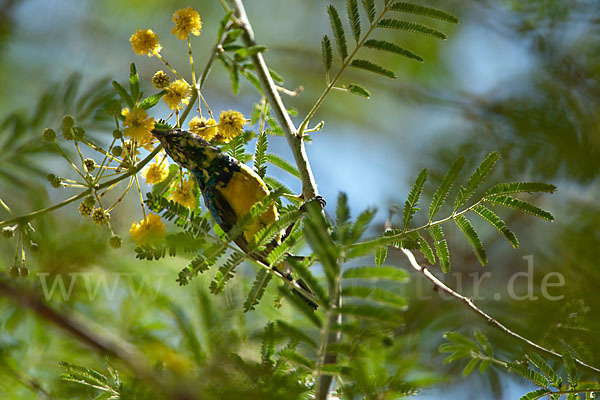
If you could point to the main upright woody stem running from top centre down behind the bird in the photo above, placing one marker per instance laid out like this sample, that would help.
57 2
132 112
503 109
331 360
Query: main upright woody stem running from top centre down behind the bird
309 186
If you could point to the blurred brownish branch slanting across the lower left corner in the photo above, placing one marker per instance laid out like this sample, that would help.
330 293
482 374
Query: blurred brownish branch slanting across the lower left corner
134 360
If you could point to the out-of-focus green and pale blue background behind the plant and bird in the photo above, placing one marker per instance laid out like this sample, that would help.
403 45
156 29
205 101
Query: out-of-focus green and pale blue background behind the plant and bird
521 77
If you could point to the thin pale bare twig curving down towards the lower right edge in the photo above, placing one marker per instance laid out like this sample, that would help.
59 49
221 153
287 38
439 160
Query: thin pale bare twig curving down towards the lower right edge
423 270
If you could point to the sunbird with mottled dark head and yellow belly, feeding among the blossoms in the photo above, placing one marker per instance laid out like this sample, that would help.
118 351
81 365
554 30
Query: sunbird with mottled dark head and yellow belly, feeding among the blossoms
229 188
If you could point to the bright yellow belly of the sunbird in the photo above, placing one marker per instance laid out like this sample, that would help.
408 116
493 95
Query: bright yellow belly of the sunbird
243 190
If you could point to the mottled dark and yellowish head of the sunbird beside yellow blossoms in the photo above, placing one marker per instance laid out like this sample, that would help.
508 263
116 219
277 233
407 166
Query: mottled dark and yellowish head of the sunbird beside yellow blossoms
187 149
